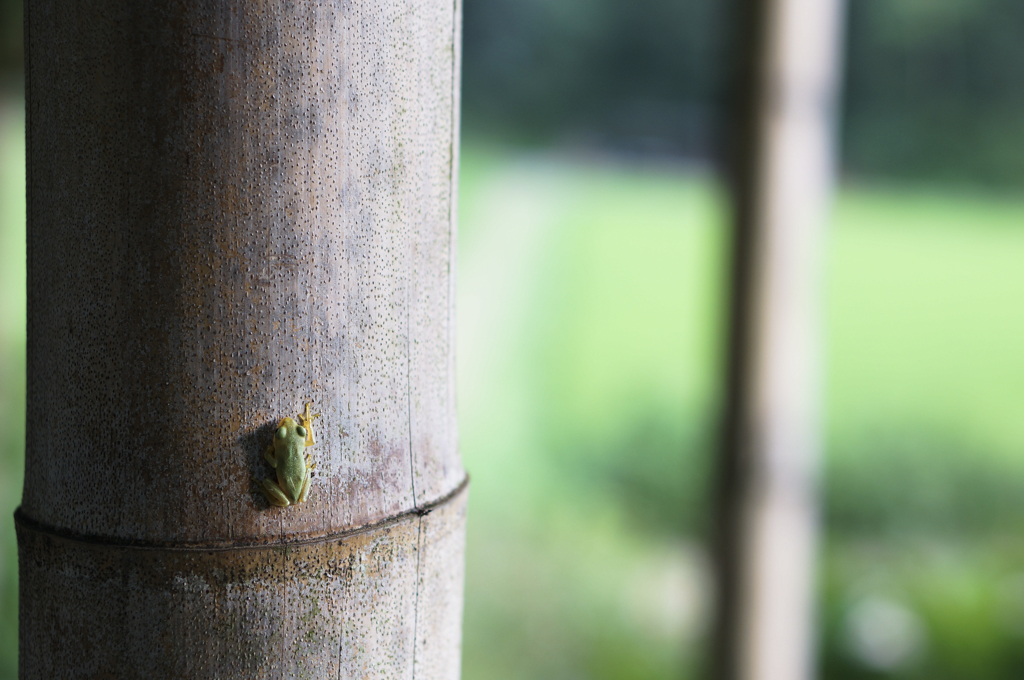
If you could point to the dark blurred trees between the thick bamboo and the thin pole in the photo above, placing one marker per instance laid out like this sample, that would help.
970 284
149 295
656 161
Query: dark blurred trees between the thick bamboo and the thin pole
647 75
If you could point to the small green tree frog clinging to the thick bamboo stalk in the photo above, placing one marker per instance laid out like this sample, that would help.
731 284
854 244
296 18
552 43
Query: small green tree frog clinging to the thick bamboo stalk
288 456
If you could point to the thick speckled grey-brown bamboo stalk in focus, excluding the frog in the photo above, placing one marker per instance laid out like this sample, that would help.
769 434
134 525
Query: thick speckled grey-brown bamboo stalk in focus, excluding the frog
235 208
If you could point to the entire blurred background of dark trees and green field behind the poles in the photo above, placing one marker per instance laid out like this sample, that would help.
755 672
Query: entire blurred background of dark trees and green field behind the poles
593 236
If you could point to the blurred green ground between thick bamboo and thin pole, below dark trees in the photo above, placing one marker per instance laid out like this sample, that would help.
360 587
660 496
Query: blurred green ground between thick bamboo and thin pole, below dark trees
586 325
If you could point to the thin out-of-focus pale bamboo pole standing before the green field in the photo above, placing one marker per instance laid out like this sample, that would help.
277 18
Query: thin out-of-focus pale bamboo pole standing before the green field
767 498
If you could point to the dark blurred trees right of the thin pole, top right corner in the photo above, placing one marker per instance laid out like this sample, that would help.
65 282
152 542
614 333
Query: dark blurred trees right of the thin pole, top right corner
935 90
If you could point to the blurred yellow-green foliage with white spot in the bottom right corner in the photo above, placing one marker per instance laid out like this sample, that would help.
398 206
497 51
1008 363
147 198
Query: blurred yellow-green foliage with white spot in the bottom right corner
965 597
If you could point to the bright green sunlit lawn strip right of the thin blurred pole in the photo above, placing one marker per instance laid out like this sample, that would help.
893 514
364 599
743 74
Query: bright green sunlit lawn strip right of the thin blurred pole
926 324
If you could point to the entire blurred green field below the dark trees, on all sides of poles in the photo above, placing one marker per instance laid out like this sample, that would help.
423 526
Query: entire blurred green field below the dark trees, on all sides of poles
590 331
